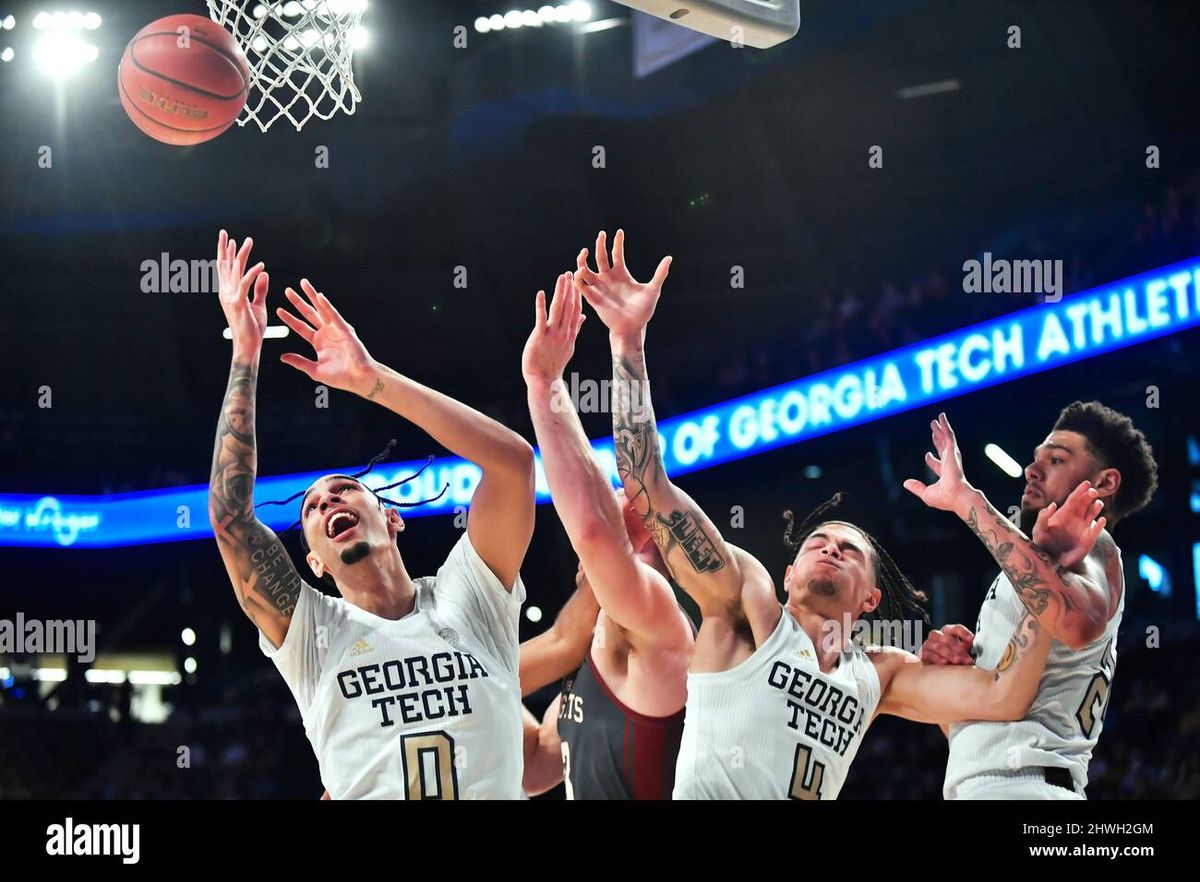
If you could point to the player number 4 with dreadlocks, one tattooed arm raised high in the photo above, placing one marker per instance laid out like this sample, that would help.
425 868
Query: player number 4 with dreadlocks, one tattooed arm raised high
779 695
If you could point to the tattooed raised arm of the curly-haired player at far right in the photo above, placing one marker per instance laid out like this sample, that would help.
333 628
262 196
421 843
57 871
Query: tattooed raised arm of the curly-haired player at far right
1072 605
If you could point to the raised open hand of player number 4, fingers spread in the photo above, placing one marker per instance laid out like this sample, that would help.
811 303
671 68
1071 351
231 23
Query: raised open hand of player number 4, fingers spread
622 303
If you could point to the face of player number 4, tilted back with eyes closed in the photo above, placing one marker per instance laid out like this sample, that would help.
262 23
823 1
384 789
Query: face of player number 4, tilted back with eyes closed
835 572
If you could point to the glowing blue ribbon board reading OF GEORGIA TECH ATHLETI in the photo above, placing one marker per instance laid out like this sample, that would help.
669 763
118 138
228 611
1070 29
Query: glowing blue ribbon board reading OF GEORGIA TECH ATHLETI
1039 339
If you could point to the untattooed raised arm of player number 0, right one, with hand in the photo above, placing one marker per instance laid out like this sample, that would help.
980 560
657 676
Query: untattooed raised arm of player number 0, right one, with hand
502 509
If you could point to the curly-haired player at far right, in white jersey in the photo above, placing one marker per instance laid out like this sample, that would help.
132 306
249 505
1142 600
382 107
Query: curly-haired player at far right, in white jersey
1070 578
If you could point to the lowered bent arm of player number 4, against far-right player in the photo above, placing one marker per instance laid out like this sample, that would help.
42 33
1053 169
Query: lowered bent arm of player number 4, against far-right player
945 694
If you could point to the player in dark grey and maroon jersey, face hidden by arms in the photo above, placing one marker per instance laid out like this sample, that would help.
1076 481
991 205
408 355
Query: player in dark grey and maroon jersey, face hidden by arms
617 724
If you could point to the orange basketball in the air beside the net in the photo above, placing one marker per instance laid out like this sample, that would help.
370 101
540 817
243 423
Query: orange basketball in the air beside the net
183 80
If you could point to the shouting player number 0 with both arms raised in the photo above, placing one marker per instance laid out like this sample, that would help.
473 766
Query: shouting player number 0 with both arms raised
407 687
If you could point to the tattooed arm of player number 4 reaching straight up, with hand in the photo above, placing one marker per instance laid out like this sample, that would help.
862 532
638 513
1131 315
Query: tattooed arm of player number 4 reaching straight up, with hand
717 577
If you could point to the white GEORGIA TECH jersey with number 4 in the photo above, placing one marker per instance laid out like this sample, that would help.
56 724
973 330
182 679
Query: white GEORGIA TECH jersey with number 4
776 727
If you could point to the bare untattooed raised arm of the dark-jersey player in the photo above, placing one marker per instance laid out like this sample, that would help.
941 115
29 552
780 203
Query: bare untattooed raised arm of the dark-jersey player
632 595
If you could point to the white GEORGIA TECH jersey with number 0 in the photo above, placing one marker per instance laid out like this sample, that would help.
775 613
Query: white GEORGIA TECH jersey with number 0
428 706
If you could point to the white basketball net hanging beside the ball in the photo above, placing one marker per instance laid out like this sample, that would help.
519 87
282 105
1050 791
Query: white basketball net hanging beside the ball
299 56
